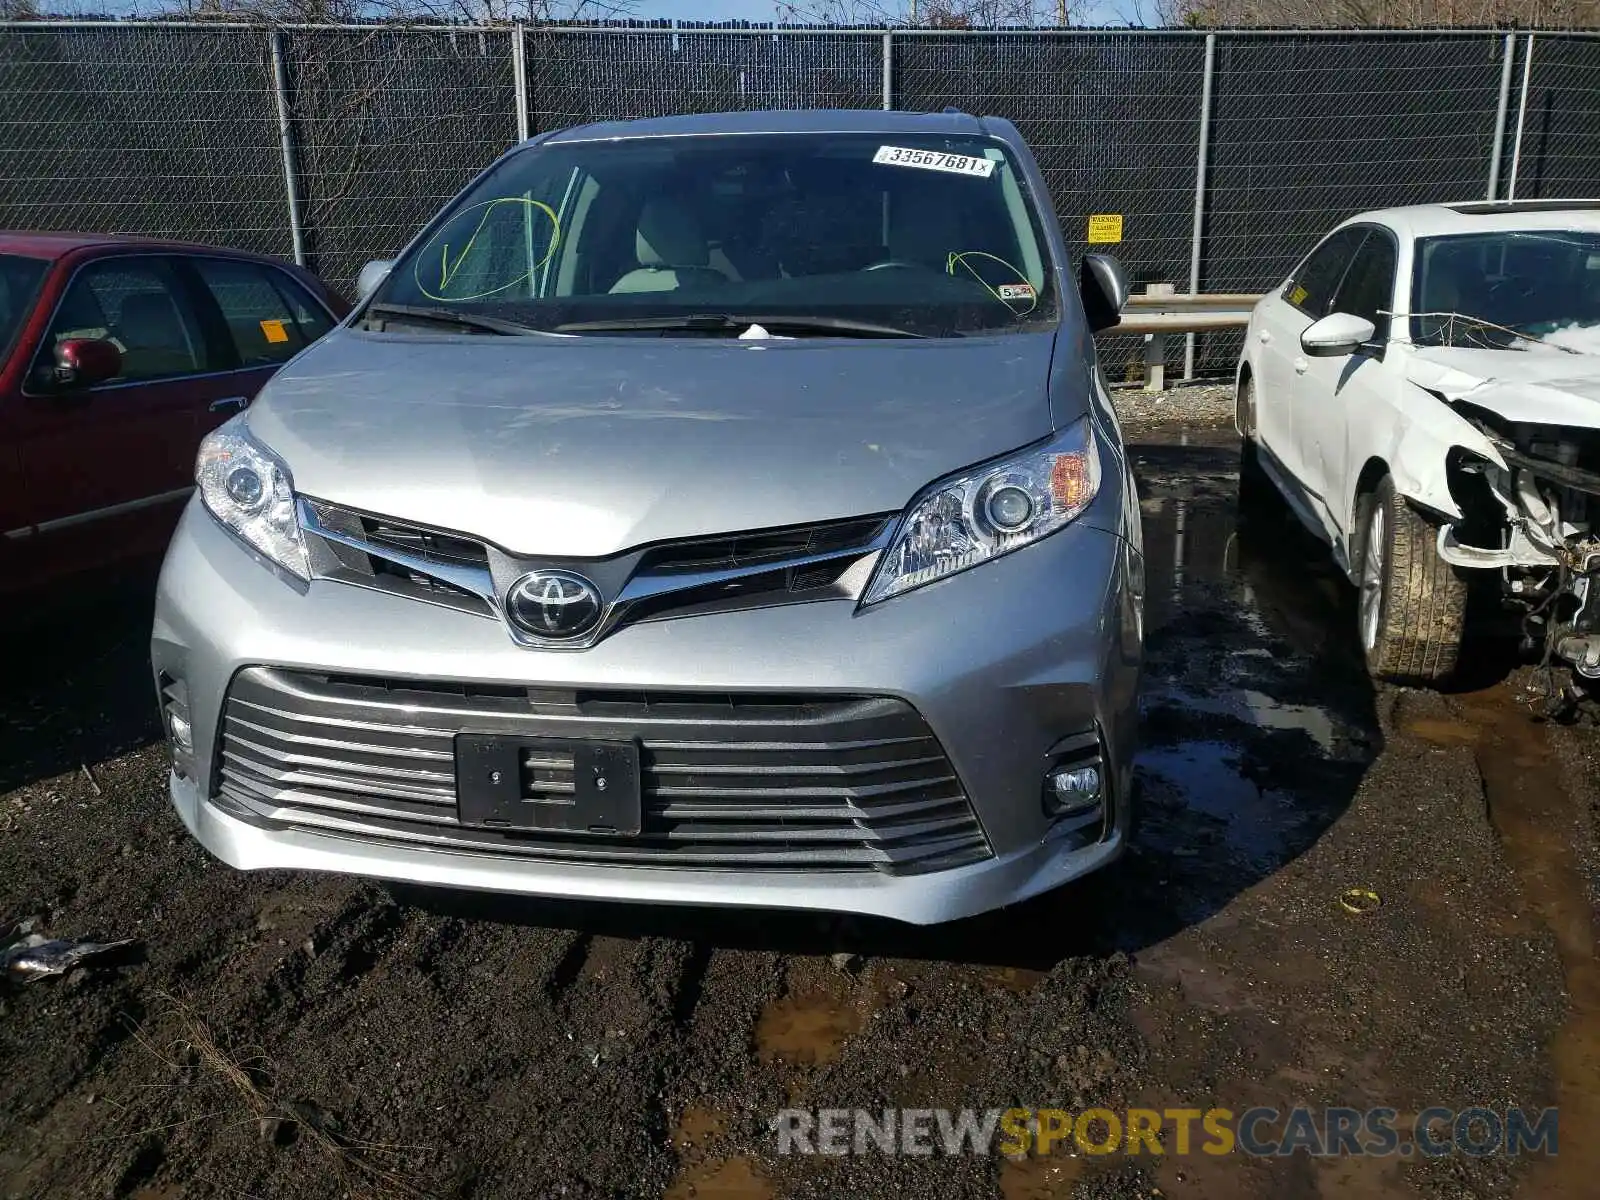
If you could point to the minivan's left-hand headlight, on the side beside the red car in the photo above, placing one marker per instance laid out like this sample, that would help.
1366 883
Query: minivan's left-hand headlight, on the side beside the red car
249 489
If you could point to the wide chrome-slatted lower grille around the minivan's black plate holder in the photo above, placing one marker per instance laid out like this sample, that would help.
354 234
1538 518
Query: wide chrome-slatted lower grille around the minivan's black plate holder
754 782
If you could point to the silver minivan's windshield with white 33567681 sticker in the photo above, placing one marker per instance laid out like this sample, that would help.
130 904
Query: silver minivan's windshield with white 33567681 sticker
807 234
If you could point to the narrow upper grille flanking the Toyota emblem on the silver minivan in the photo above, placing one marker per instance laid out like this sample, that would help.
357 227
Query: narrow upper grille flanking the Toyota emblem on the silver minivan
826 561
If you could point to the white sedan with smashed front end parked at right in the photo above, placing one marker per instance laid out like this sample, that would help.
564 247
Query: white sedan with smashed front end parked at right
1425 394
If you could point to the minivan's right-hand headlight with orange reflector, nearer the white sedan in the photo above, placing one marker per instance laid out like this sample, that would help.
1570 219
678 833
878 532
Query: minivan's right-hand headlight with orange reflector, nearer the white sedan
982 514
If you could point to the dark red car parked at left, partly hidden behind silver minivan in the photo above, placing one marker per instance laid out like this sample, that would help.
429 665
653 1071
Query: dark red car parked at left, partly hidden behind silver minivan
118 356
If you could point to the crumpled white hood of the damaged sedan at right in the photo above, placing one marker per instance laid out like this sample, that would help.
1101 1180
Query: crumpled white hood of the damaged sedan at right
1542 386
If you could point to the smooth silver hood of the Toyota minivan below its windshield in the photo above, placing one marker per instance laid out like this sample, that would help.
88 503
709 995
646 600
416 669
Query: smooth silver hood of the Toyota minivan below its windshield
583 447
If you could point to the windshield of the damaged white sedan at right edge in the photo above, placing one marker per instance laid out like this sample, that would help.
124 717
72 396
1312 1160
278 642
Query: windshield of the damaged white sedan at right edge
1510 290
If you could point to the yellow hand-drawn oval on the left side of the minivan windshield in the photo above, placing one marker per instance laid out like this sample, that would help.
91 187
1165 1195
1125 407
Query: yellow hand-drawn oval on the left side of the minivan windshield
466 258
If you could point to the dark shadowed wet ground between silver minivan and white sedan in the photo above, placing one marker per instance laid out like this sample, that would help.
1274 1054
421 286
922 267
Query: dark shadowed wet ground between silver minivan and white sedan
1252 681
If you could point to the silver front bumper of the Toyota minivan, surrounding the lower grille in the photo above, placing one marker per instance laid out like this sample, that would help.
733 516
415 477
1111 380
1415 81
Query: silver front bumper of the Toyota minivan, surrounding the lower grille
1002 663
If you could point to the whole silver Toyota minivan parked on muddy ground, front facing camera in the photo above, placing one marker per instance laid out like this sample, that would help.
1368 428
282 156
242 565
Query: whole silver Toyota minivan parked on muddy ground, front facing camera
716 510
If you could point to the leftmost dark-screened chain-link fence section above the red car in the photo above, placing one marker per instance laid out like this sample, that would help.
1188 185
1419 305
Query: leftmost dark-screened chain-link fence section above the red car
166 132
